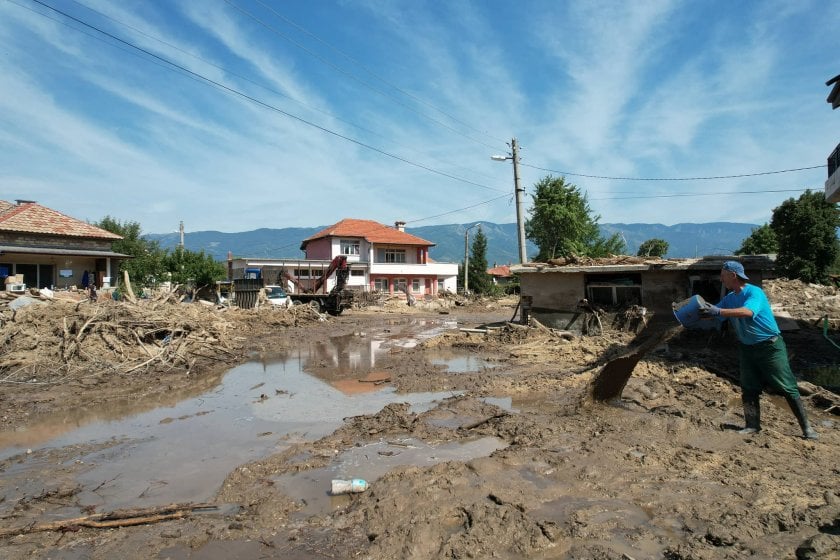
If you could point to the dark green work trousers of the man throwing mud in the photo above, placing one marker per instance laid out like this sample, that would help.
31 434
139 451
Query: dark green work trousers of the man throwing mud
766 363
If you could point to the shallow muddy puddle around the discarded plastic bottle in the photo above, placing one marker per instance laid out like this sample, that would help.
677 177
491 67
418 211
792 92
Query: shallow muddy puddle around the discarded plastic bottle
311 488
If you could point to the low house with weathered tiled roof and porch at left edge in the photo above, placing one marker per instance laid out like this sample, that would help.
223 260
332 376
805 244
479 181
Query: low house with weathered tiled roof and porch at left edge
43 248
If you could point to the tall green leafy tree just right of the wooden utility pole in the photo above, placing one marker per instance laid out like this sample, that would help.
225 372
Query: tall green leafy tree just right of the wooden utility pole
561 223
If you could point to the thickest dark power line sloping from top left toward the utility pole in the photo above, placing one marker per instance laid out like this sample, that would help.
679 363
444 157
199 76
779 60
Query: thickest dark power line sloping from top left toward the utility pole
267 105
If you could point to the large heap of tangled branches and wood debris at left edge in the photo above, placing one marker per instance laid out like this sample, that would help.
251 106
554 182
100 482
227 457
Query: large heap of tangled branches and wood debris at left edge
49 342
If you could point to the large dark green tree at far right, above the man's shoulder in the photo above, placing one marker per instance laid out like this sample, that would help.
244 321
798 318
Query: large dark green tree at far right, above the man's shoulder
806 230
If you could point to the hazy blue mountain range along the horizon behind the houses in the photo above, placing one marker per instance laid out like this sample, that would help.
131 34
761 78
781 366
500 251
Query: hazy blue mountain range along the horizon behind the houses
684 240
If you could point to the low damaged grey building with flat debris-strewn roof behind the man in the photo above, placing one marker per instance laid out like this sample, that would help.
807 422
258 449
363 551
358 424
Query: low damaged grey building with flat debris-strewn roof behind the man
552 292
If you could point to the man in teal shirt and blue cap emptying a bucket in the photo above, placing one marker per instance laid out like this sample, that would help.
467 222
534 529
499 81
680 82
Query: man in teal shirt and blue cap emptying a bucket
763 354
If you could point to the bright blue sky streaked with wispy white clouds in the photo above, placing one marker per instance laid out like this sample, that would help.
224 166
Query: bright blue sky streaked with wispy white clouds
234 115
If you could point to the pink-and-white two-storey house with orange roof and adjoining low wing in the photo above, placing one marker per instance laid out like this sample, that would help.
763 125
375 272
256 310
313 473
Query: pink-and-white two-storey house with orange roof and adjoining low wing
380 258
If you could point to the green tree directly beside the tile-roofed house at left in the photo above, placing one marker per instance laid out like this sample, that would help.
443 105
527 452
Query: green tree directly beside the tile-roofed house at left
147 262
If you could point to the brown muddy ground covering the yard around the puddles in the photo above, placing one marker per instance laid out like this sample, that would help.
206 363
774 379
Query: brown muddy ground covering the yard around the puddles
662 474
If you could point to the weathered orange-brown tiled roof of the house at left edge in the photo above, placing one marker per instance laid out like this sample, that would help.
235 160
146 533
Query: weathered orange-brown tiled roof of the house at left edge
30 217
